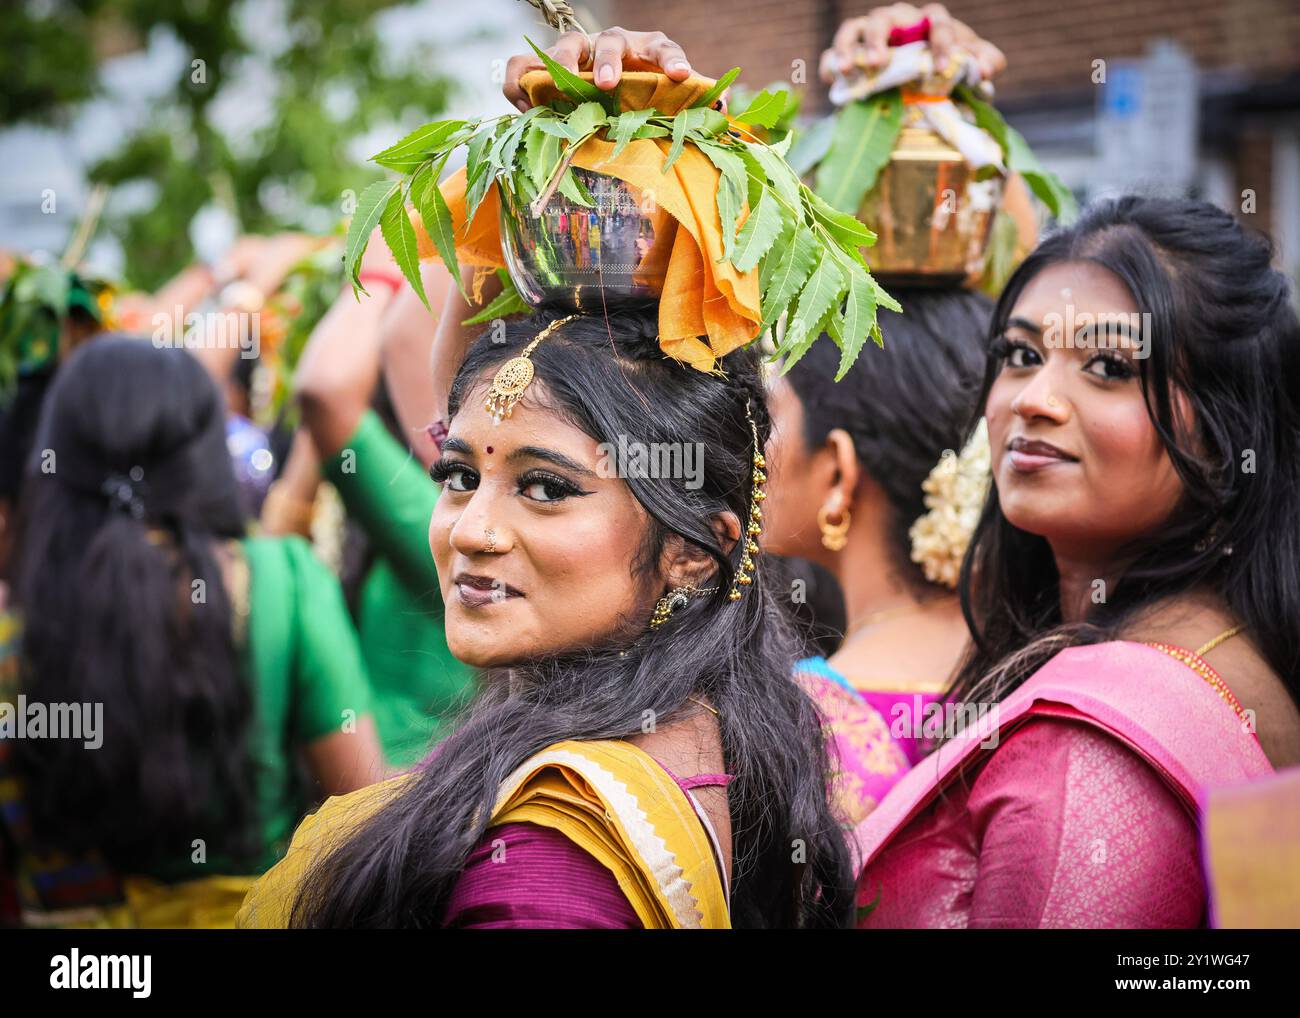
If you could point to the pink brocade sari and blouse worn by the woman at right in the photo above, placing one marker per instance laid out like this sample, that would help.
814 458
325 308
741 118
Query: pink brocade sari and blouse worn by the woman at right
1077 809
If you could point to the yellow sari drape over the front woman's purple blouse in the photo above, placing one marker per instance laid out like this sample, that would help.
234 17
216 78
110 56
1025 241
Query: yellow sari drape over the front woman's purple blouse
610 799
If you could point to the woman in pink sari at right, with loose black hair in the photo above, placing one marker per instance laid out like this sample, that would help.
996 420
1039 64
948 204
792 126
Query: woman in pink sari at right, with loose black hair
1133 587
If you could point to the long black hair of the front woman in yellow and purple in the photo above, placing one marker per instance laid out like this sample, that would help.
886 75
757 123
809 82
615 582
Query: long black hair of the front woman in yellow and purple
609 379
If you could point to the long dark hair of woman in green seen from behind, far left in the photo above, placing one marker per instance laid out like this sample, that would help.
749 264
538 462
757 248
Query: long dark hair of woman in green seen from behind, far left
116 579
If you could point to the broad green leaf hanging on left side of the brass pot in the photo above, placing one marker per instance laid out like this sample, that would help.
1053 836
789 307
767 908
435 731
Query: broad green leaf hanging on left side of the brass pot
865 135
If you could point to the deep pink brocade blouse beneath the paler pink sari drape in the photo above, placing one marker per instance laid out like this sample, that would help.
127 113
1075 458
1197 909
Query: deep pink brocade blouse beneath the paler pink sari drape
1063 828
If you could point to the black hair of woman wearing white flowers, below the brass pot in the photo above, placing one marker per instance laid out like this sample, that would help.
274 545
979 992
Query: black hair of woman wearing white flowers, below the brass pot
905 408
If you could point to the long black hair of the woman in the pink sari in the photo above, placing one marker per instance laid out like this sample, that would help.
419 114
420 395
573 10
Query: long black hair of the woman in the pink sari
1225 335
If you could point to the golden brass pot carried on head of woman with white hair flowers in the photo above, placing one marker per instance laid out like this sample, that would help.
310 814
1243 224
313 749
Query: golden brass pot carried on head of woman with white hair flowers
931 216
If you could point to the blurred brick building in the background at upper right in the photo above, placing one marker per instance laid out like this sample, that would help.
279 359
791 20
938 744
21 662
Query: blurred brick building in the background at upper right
1191 97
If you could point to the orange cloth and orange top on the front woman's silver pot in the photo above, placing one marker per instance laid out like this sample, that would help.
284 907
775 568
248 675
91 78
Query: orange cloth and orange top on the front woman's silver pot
708 309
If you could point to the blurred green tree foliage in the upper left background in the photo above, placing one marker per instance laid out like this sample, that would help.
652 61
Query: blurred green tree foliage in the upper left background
330 83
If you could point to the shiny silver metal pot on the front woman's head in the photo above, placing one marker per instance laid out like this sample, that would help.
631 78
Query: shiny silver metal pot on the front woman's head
614 254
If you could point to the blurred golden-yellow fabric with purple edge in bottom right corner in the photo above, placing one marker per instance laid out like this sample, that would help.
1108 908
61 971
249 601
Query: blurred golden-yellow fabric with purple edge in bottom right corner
1253 854
